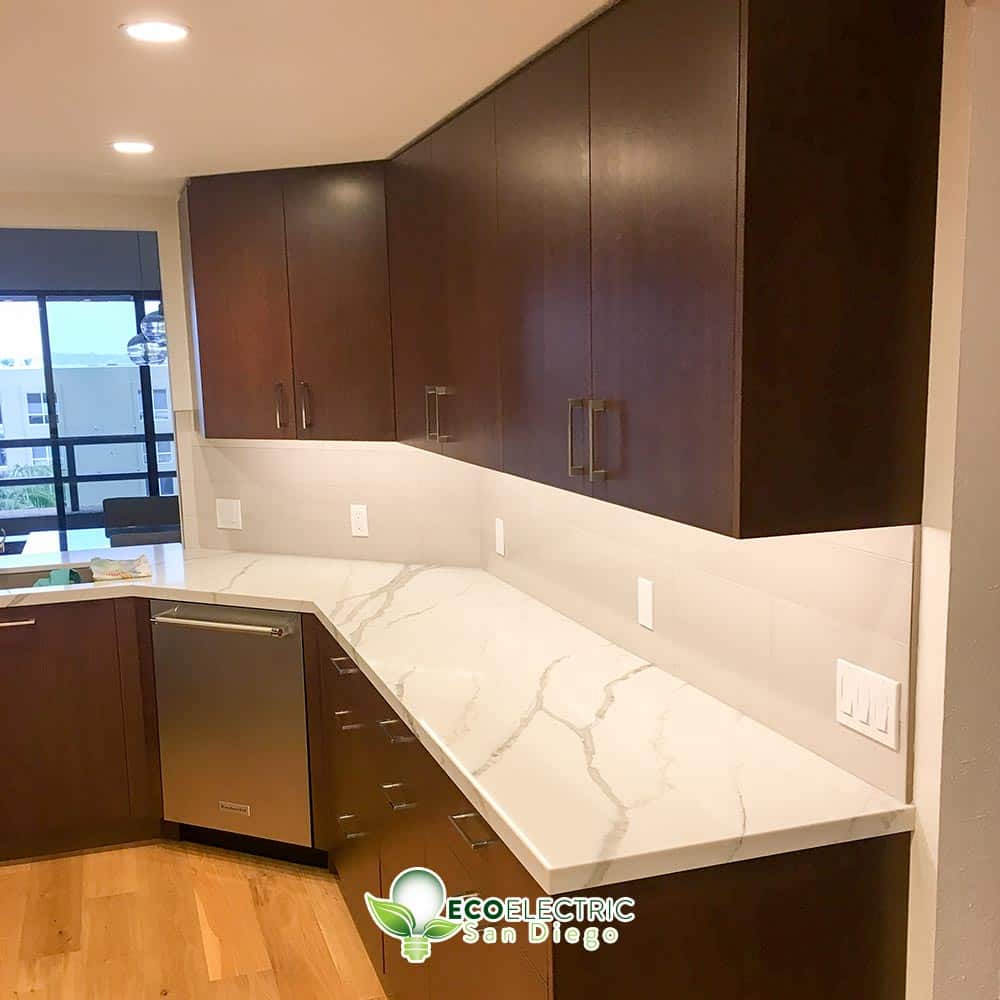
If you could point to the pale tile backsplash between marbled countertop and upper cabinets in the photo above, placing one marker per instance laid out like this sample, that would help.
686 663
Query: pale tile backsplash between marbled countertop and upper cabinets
759 624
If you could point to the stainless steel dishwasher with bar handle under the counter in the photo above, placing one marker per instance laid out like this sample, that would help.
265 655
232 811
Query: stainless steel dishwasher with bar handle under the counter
230 694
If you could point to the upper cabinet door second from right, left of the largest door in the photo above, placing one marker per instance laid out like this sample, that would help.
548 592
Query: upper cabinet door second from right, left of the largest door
543 193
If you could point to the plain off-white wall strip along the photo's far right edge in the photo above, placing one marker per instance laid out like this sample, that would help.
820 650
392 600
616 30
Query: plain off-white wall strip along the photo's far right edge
967 946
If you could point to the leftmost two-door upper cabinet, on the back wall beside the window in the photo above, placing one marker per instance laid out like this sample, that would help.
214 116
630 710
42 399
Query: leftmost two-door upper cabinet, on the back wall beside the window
291 295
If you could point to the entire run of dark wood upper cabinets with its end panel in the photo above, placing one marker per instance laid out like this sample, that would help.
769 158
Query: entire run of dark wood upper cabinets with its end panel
682 262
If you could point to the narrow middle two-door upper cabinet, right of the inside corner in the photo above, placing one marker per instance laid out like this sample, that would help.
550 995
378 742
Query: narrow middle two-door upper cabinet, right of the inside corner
445 290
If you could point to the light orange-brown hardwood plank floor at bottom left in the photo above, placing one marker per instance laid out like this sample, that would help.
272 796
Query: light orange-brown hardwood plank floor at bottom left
178 922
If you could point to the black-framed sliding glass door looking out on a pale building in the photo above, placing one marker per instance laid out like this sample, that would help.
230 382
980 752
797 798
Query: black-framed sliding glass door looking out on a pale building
80 419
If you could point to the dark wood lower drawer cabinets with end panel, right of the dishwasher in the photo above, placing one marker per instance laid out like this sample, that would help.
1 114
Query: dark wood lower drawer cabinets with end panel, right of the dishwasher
822 924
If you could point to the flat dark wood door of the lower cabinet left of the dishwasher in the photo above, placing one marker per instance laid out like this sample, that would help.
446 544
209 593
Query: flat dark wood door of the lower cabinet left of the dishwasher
62 728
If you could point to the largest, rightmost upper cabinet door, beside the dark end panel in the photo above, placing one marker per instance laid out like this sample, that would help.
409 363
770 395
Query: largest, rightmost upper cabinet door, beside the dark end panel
665 77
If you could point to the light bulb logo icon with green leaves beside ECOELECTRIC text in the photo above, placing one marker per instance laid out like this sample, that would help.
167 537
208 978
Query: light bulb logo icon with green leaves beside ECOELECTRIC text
411 914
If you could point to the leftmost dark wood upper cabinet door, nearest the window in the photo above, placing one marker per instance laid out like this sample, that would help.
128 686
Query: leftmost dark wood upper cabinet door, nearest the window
237 234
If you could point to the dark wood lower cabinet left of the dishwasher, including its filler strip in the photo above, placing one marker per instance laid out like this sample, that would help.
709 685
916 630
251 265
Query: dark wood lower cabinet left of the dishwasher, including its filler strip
79 760
